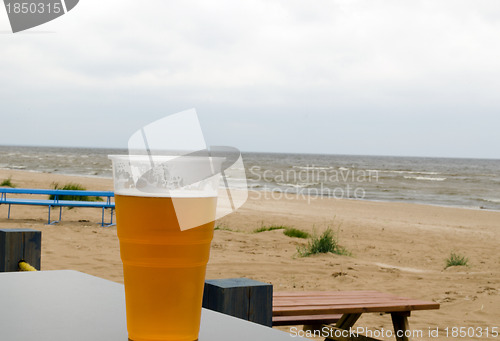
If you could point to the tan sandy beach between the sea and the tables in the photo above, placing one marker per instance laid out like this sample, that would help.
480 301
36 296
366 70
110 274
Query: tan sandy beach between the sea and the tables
396 247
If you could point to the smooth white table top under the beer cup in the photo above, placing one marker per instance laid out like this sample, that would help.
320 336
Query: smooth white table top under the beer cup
67 305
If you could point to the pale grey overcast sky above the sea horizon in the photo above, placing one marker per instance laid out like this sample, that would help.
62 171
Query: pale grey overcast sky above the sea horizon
417 78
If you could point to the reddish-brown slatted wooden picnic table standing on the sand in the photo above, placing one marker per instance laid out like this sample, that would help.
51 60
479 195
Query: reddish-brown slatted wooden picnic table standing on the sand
316 309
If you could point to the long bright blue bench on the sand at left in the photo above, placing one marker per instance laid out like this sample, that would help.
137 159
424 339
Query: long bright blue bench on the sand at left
56 202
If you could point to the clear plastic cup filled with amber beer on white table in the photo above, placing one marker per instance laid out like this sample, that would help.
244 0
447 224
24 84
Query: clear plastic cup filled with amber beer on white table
165 211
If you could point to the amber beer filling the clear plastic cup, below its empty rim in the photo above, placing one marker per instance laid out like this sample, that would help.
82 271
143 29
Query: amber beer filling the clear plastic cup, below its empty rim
163 267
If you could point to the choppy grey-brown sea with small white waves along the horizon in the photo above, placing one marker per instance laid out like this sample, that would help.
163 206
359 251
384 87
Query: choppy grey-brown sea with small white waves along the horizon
456 182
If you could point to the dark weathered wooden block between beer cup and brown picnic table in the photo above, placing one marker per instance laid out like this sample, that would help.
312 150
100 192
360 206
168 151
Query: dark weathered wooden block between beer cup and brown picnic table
240 297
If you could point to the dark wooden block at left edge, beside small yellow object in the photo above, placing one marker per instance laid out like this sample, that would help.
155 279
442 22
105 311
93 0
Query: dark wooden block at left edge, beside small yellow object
19 244
